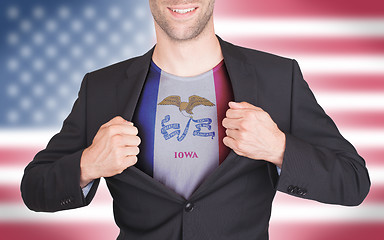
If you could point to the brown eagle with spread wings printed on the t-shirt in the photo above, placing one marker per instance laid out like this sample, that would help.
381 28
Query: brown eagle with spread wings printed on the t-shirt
193 101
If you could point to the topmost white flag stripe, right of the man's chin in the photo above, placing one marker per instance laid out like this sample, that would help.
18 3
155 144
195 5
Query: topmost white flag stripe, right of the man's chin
299 27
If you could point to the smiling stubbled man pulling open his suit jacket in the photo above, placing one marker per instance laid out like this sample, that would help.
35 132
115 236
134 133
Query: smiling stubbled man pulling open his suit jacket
215 123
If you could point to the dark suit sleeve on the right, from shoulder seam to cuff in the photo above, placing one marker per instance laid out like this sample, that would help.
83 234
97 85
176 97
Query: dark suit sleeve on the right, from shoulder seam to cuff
319 163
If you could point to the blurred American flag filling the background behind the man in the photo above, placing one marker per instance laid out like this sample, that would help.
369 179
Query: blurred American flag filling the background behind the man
48 46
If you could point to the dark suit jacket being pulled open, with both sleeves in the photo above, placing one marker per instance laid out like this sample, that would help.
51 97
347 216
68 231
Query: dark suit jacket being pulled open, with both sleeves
234 202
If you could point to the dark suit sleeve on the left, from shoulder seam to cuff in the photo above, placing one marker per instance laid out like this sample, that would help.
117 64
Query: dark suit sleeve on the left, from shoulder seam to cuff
51 182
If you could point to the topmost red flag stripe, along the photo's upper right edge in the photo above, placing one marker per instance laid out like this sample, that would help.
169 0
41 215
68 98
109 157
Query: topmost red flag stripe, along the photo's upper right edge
299 8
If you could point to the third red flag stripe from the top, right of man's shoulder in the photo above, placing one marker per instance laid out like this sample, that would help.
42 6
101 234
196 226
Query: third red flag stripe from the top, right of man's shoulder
344 83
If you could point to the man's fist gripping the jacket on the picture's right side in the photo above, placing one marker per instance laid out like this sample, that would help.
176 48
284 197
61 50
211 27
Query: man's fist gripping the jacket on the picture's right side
252 133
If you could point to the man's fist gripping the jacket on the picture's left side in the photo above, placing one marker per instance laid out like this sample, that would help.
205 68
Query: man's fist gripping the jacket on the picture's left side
113 149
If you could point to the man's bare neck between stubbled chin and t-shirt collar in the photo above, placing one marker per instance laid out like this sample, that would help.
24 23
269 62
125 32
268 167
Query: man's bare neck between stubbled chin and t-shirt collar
190 57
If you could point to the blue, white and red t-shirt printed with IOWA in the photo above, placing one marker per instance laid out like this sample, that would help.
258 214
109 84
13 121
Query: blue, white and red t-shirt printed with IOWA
179 122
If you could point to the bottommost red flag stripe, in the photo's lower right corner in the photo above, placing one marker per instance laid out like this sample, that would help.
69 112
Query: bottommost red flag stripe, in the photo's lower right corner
326 231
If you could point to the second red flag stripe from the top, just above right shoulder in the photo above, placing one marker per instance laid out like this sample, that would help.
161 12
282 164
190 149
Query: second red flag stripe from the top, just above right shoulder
320 46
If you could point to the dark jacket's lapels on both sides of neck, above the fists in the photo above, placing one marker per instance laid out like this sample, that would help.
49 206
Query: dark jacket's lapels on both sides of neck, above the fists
241 73
